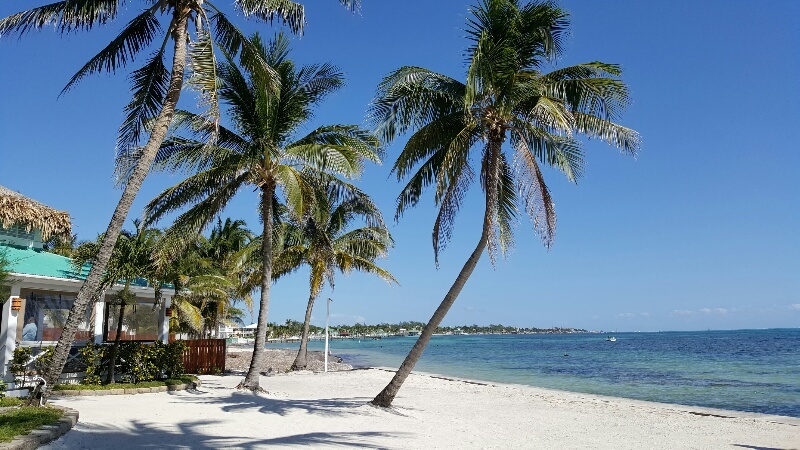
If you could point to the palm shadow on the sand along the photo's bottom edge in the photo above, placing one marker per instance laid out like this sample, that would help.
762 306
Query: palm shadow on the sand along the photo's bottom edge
201 434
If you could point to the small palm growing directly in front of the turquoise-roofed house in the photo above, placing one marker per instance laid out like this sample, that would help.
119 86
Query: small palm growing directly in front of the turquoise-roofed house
132 259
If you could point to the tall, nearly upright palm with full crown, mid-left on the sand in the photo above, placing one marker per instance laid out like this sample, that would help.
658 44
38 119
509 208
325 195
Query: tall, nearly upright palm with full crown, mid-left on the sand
260 151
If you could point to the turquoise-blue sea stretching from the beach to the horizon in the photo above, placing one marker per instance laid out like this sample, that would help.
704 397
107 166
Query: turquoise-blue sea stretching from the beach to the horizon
745 370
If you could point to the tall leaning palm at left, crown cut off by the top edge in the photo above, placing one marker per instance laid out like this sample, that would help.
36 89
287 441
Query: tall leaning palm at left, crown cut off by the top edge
156 90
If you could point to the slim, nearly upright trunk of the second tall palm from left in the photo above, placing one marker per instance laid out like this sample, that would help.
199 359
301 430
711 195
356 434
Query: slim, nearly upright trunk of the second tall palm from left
251 380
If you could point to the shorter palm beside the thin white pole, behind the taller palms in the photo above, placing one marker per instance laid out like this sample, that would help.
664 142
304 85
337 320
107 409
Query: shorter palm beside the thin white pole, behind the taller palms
328 246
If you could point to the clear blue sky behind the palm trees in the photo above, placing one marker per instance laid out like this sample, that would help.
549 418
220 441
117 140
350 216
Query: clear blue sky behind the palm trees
700 231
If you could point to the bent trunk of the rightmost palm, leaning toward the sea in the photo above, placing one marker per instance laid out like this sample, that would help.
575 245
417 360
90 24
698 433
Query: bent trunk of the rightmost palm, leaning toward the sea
387 395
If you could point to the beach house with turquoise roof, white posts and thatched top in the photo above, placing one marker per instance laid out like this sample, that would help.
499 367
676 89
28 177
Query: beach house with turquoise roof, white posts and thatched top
43 287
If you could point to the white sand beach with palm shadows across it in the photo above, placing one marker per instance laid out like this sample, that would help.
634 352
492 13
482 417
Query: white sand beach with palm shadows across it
330 411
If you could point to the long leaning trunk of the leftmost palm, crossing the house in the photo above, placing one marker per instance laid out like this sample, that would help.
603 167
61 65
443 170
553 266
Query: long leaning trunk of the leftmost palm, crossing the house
161 125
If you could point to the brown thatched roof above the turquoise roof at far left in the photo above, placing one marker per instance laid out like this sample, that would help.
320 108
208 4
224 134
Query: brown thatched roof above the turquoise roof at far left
16 209
